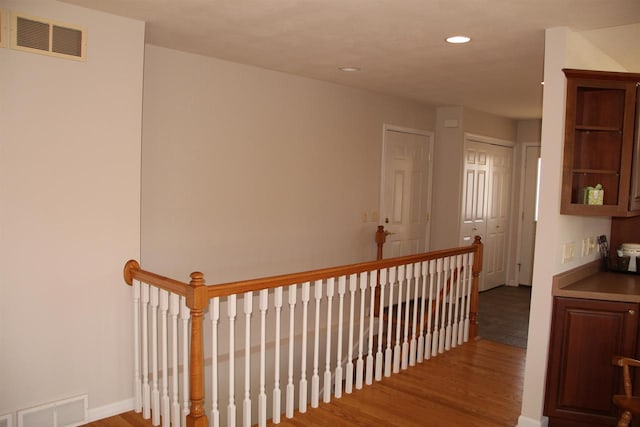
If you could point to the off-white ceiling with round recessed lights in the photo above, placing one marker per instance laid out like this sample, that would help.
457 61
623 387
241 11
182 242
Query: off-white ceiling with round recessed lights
398 44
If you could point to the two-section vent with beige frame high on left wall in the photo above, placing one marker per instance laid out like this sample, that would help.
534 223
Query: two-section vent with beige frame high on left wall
43 36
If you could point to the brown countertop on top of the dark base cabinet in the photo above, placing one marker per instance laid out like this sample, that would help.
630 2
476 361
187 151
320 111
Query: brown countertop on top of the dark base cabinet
590 282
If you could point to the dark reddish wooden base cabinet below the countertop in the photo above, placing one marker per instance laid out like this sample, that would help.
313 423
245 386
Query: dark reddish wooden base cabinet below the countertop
580 377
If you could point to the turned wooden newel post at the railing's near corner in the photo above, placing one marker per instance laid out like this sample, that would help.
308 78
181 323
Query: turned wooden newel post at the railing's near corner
197 301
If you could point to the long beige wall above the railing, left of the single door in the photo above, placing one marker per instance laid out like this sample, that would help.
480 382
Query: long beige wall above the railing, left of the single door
248 172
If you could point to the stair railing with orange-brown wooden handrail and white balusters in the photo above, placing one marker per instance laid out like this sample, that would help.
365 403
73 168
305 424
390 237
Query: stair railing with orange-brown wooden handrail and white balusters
427 302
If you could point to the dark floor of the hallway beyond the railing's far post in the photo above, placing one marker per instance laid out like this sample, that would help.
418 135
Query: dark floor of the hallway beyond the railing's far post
503 314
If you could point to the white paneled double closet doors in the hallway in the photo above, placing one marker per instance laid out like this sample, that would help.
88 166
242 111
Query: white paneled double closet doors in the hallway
486 204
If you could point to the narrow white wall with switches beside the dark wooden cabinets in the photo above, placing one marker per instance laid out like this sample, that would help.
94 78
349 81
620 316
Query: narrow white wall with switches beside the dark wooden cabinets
563 49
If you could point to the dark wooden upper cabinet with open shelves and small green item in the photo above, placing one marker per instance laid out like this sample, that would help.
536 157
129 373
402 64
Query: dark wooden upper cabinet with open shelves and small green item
600 134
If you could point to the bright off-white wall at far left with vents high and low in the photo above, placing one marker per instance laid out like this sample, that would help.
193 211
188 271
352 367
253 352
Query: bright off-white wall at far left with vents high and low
69 212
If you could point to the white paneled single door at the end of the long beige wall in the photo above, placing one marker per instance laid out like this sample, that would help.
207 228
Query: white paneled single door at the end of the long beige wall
406 188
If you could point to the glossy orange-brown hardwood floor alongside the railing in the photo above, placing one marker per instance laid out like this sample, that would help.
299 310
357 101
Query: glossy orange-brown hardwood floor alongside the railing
478 384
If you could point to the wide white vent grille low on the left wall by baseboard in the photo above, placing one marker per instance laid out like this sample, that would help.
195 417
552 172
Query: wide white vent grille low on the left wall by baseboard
63 413
